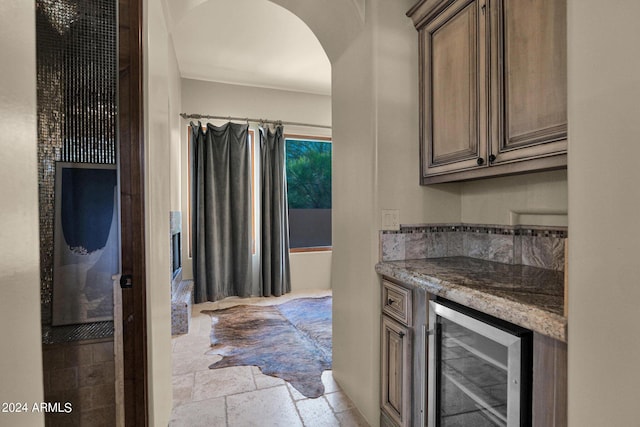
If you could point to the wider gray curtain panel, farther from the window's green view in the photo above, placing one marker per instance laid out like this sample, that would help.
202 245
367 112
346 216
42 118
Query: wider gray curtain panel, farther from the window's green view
221 211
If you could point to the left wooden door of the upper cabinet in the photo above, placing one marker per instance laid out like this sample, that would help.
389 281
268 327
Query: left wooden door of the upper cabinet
453 69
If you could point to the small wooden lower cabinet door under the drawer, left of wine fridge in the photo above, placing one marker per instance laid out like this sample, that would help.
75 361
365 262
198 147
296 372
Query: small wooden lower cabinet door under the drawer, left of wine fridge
396 371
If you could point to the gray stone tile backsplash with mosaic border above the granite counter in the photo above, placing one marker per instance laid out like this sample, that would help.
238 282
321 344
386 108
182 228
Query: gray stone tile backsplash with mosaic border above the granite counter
527 245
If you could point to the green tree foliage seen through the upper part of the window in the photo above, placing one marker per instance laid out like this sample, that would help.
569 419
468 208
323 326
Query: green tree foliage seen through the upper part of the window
308 174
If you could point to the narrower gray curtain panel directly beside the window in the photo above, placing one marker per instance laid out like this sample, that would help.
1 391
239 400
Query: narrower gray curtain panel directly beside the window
274 276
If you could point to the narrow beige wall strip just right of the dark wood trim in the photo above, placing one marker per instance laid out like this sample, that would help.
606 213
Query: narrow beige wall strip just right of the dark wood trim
162 106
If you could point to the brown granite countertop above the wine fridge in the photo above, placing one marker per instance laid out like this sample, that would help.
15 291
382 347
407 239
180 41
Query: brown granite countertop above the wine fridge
530 297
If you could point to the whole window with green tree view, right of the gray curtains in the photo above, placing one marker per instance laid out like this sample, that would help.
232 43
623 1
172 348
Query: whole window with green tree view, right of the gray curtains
308 166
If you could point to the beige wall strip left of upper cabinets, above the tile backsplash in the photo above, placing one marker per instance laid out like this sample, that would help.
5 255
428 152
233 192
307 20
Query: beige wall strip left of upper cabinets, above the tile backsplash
396 120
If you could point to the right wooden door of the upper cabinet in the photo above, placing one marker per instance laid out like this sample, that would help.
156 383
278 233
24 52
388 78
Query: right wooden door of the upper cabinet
528 79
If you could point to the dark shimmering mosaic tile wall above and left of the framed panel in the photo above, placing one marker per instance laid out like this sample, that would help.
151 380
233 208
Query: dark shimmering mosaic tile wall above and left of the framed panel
76 64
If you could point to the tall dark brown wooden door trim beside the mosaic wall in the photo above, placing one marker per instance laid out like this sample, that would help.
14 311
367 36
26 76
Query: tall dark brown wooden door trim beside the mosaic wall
131 164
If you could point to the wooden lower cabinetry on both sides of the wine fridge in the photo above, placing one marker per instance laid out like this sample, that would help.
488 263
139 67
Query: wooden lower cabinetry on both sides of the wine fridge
404 351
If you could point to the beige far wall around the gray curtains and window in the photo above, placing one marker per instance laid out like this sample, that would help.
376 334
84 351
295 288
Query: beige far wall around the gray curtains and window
308 270
